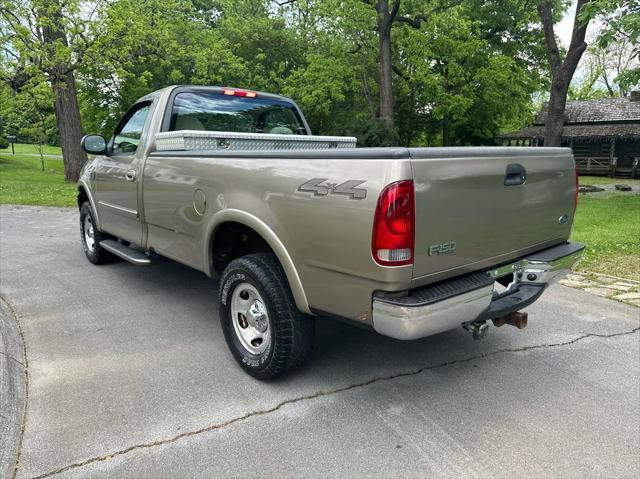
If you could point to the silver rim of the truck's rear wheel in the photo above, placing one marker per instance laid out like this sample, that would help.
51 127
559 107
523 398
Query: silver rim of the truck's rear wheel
250 318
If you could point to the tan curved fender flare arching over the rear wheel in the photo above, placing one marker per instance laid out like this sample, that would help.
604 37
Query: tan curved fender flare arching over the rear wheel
272 240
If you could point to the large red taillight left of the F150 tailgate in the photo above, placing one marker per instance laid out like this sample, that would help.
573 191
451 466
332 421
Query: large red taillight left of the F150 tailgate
394 225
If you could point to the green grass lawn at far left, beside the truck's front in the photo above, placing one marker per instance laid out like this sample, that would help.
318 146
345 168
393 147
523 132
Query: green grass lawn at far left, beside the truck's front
22 182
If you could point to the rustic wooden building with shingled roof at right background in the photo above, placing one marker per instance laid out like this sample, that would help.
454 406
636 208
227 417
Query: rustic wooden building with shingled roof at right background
603 134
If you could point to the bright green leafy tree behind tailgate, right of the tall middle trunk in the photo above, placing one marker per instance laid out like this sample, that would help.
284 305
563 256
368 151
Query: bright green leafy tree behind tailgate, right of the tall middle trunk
457 83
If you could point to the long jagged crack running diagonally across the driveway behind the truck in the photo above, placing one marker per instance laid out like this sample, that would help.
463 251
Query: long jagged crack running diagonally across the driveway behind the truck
262 412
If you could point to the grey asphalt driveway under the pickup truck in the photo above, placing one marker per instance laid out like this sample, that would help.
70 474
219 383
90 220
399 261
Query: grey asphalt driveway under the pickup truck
129 376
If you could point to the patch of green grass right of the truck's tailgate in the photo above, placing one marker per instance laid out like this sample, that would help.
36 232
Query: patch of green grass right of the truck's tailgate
610 227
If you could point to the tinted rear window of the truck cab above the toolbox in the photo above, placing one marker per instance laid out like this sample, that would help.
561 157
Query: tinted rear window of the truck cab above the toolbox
213 111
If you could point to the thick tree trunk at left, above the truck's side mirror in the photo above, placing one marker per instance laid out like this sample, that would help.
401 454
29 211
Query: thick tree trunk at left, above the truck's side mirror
64 89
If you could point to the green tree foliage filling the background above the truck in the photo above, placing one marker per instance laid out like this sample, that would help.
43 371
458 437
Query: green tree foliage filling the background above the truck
462 71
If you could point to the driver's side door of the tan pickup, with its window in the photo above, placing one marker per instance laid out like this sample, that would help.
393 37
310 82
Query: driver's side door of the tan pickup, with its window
117 178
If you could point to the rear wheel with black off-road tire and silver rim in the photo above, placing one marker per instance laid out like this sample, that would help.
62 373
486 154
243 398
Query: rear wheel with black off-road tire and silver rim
266 333
